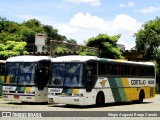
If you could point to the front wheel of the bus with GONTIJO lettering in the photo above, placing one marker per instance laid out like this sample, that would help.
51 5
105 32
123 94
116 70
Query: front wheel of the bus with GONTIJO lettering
100 101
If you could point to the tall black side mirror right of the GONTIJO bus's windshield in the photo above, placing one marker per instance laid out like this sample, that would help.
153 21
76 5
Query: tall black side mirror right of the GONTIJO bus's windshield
89 80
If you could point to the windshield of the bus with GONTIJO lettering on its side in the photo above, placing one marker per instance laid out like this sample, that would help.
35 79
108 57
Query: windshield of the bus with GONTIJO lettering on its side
67 74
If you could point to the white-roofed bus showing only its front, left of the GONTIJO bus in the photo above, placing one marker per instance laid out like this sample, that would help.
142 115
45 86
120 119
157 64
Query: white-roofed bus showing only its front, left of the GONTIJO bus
26 78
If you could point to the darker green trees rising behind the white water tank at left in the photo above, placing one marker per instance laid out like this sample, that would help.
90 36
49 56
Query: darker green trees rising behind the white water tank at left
11 31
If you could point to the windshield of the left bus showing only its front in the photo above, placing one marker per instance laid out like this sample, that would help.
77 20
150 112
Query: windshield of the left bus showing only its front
21 73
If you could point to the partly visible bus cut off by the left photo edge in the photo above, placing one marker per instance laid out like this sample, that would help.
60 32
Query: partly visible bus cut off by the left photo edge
2 72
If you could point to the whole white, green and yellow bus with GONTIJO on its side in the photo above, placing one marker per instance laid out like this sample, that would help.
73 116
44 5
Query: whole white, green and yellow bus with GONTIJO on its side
89 80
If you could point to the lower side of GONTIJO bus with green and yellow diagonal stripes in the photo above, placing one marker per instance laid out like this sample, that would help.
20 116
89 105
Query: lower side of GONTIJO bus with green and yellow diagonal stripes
122 90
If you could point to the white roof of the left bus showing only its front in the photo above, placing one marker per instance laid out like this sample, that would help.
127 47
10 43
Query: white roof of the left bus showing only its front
27 58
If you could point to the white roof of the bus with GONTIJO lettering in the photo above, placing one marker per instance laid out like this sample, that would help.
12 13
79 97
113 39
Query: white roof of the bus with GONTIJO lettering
78 58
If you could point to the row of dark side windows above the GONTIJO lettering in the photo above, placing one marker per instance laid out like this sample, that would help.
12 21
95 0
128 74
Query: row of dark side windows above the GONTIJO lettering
122 70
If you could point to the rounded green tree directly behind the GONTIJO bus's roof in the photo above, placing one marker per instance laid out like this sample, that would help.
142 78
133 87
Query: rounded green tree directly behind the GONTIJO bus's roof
107 45
